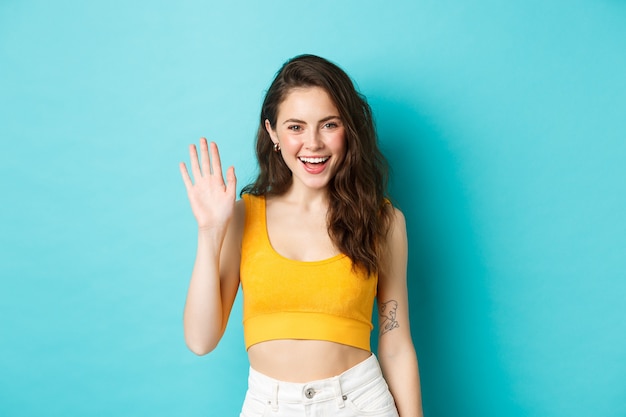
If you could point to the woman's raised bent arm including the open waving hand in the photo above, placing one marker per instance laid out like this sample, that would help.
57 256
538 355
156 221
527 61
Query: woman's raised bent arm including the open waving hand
215 277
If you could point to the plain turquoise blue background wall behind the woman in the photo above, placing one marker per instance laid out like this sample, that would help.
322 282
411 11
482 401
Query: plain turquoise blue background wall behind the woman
505 125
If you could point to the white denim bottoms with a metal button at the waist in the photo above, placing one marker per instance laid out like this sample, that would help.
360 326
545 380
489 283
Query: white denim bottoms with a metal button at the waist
359 391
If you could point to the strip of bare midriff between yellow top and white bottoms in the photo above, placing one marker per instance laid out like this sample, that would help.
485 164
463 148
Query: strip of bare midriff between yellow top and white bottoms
303 360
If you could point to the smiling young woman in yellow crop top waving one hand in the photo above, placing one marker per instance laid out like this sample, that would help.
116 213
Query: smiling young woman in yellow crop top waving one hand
312 242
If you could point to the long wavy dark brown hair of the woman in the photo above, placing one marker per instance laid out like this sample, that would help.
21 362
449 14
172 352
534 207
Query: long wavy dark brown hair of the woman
359 212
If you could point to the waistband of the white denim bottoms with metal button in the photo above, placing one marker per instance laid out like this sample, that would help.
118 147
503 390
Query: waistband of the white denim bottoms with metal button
338 387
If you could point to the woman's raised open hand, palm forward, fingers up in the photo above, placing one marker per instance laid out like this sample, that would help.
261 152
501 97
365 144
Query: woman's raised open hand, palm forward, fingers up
212 200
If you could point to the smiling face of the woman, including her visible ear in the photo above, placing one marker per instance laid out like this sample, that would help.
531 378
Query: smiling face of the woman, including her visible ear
311 136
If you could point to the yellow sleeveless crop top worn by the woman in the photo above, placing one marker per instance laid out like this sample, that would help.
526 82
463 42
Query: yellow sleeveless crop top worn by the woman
288 299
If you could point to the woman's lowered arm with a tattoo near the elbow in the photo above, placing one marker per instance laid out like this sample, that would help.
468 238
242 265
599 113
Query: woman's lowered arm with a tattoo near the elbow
395 347
